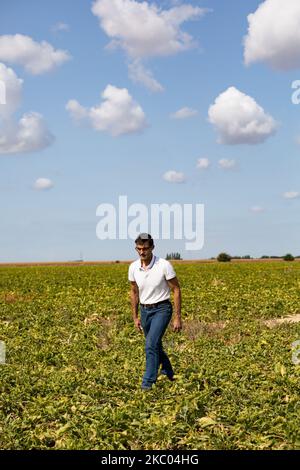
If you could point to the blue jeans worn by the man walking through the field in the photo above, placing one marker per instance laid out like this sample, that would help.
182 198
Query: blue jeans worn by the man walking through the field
154 322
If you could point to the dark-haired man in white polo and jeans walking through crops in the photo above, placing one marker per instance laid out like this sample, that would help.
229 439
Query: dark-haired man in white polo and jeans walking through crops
151 279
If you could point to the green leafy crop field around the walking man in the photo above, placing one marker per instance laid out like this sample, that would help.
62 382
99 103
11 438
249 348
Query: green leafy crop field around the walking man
75 362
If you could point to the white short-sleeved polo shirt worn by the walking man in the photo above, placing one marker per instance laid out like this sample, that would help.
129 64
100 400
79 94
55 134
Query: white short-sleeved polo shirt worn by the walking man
152 281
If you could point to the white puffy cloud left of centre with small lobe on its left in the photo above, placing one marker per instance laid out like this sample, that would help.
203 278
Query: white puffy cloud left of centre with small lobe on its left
118 113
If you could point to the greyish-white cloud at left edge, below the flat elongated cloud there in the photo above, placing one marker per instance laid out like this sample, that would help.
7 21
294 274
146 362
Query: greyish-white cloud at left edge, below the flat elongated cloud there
30 133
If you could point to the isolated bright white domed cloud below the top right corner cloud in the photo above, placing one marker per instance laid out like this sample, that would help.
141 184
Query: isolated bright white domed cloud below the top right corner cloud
239 119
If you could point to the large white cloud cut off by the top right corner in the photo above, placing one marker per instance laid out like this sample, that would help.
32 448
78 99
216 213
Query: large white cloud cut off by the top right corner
274 35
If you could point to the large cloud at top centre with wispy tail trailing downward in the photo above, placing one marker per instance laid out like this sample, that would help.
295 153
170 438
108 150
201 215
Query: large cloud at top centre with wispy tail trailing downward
144 30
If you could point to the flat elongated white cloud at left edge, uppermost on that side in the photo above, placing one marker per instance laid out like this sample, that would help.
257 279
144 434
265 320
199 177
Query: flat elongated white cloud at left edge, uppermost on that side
37 58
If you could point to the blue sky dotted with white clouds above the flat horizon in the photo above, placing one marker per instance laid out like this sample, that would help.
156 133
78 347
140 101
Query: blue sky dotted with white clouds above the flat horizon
83 149
